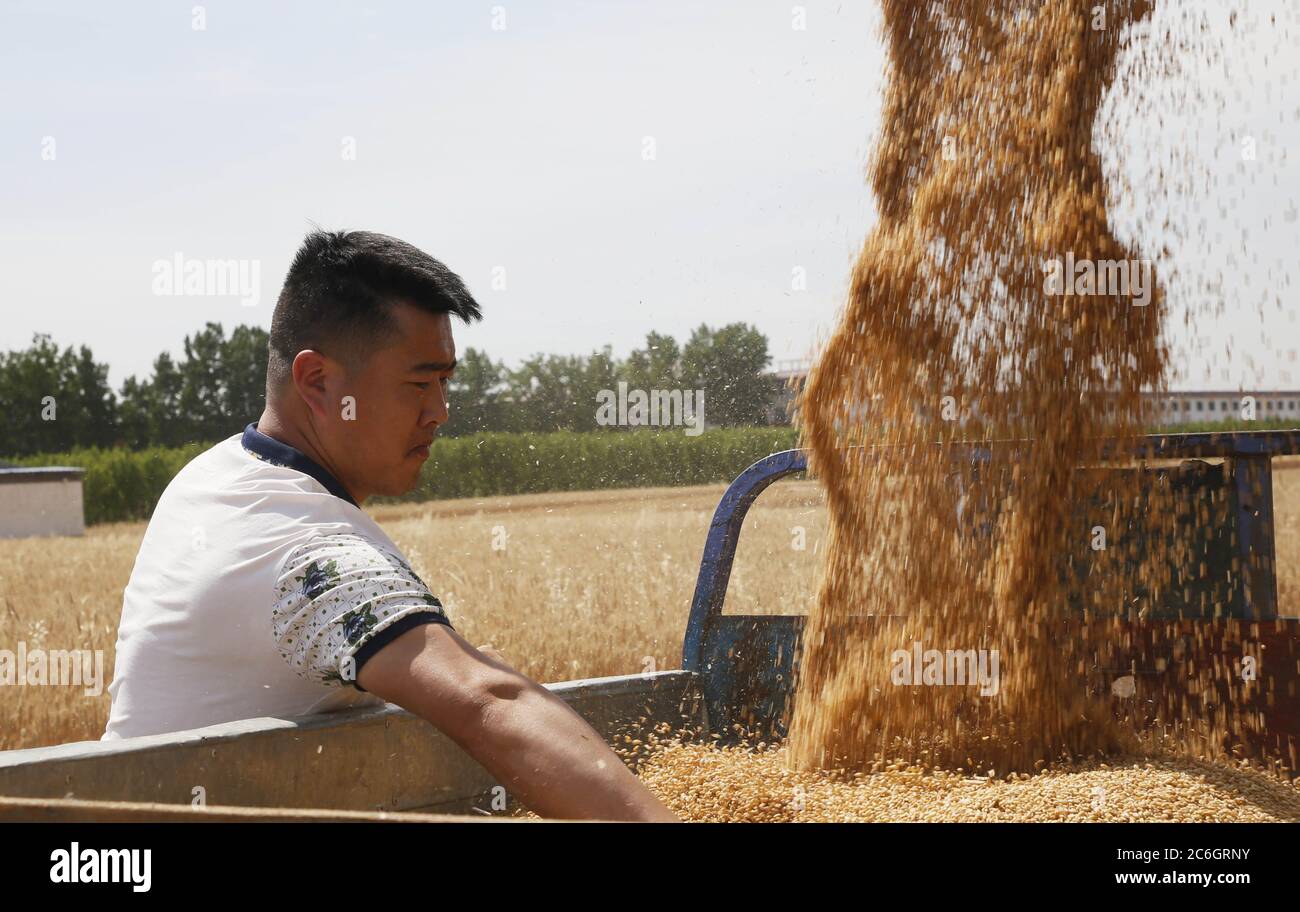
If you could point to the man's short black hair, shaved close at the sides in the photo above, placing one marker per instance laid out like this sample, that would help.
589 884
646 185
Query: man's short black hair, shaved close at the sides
339 294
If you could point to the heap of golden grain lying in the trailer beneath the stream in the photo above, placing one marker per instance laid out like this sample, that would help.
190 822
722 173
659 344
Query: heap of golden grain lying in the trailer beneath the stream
755 783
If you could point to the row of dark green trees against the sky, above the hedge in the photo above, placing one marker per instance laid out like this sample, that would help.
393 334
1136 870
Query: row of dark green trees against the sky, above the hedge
54 401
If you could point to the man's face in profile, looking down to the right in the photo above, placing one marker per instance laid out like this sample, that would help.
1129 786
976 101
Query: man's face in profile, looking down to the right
401 401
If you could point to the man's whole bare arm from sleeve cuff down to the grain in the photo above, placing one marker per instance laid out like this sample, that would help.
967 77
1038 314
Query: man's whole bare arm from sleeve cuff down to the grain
530 740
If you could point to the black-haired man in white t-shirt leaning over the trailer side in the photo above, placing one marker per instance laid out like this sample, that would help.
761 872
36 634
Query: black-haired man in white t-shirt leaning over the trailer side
262 589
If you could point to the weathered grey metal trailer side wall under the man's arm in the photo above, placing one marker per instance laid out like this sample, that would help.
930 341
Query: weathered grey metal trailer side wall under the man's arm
375 759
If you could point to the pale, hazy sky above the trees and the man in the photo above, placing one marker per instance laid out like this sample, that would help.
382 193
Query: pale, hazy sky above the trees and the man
523 150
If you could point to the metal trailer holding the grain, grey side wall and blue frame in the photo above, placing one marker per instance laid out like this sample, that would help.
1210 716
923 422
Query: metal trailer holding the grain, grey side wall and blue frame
738 671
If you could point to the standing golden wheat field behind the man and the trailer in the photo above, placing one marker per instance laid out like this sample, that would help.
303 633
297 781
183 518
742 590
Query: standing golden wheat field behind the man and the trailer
578 585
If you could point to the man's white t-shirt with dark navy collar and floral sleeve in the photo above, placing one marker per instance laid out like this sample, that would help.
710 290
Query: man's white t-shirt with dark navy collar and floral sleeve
261 589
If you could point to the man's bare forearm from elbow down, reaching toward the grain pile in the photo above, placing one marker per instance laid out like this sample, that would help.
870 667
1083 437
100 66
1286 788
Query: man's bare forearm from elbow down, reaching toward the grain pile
549 758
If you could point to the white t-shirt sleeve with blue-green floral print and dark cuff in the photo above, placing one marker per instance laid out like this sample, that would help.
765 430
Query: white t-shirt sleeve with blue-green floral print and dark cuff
343 597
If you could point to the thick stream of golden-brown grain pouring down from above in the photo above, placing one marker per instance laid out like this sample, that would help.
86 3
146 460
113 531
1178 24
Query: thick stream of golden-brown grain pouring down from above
987 168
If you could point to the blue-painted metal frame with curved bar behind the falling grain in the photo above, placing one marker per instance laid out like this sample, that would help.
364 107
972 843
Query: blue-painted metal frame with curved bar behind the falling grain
748 662
